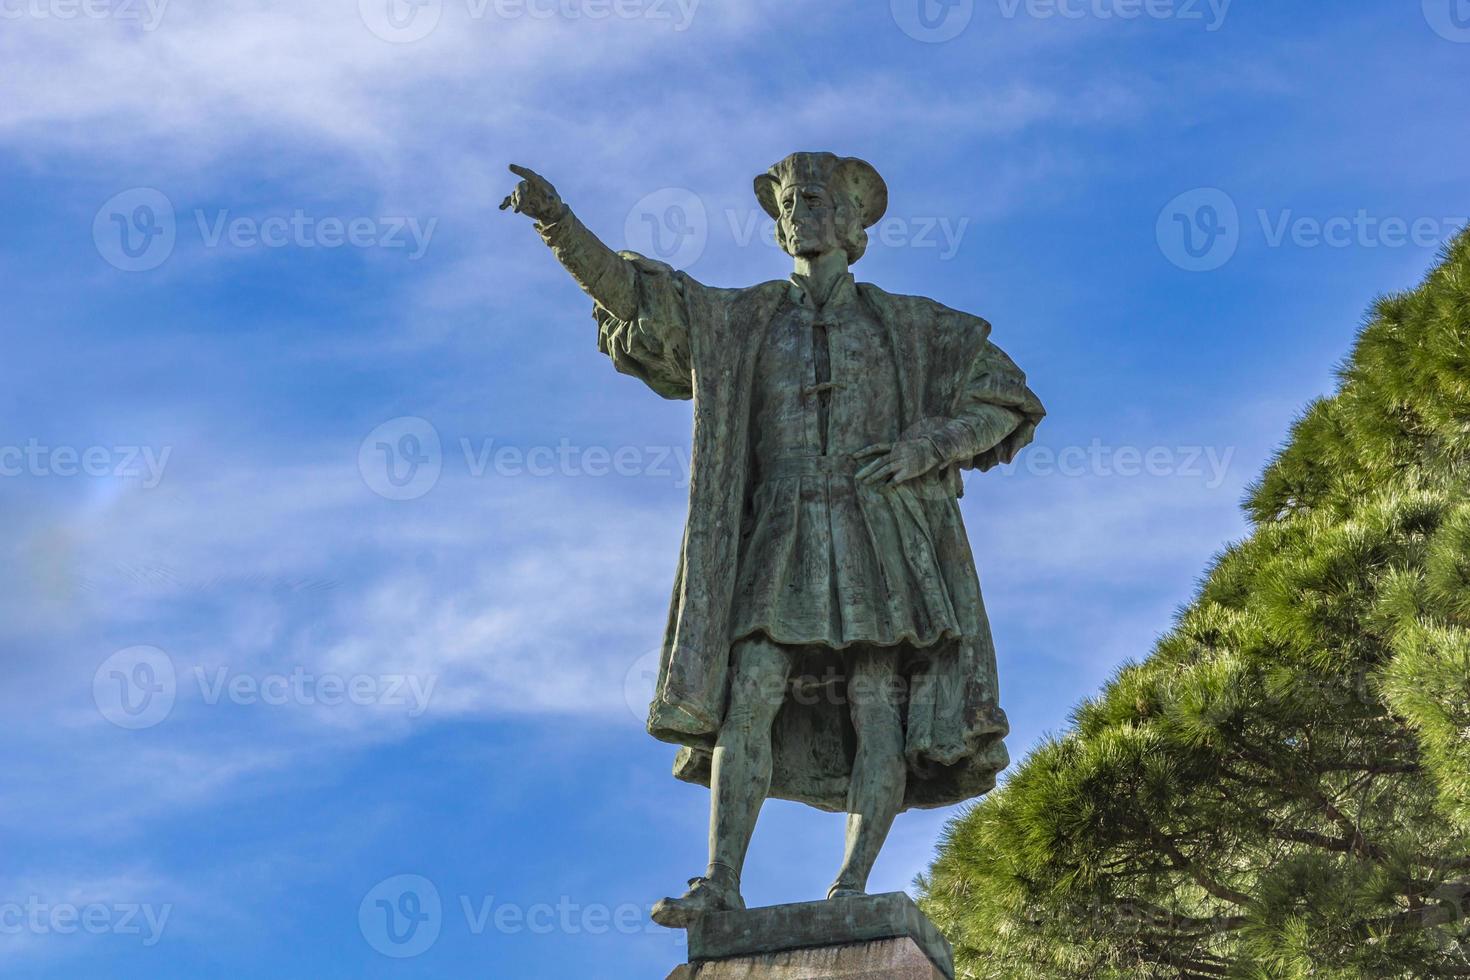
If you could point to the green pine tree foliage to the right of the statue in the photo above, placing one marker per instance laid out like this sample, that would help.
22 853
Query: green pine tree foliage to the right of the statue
1283 790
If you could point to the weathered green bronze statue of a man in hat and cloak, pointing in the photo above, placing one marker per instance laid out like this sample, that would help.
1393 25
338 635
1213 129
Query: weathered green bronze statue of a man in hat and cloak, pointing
827 640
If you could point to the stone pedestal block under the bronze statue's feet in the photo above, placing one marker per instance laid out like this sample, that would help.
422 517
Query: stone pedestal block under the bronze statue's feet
868 938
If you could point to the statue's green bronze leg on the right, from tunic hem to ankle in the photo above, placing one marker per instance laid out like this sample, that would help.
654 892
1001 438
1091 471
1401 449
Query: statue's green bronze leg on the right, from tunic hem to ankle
880 774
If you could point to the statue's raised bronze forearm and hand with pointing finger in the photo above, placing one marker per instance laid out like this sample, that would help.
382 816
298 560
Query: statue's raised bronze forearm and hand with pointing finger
602 273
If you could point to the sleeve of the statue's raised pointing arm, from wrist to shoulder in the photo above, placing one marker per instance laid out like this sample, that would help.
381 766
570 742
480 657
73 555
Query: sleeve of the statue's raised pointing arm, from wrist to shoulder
640 306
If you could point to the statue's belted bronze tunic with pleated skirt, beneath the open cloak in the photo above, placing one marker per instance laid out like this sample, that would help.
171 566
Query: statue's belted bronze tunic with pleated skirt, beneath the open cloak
827 561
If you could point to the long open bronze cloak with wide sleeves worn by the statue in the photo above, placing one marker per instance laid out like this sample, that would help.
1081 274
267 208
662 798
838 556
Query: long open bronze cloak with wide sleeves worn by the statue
695 342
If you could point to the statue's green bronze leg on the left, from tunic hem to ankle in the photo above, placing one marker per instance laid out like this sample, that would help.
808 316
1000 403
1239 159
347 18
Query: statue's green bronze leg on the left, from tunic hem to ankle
743 756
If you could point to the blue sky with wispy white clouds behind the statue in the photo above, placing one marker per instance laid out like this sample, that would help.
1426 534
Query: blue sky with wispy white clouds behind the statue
249 242
